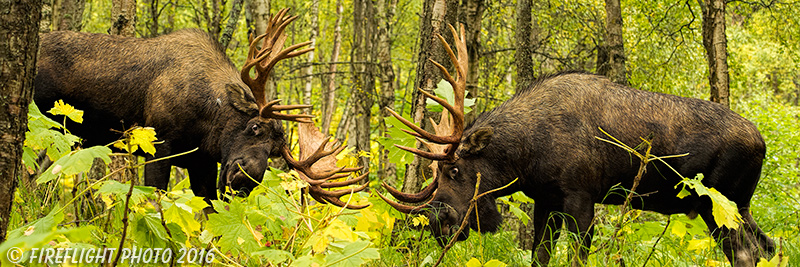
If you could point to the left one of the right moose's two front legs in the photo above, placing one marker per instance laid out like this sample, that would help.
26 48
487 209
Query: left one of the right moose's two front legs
545 234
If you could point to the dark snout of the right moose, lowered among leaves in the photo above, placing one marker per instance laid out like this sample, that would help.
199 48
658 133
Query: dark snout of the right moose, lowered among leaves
444 222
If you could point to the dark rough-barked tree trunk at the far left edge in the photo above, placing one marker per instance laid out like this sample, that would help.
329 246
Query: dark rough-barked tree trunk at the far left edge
19 42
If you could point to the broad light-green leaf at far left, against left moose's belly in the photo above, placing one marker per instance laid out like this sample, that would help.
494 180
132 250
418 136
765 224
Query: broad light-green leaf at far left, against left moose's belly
79 161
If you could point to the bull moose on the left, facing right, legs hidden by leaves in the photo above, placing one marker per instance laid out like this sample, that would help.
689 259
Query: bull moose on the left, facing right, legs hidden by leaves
184 86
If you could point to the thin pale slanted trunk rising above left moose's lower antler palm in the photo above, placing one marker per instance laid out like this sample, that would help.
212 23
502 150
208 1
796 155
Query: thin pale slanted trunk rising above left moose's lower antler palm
329 98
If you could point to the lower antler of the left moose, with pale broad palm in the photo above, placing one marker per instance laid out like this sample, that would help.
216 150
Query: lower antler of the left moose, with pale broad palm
318 165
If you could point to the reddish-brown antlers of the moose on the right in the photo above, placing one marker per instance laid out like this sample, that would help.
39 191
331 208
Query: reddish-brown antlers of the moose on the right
449 130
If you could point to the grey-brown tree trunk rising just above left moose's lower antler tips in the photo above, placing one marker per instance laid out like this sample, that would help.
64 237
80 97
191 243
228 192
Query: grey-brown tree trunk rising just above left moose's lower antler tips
363 76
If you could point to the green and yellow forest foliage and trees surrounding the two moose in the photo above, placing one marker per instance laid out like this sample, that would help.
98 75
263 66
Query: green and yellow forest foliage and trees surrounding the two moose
373 54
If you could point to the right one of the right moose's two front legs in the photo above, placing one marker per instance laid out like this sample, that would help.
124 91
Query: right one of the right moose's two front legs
581 209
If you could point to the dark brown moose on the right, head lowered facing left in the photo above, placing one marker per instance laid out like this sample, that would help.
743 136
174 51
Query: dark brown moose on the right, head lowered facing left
545 136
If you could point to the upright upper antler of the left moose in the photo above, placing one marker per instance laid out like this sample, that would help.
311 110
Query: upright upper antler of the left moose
264 59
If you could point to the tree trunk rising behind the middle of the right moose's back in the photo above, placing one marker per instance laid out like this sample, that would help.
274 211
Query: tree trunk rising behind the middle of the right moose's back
611 56
